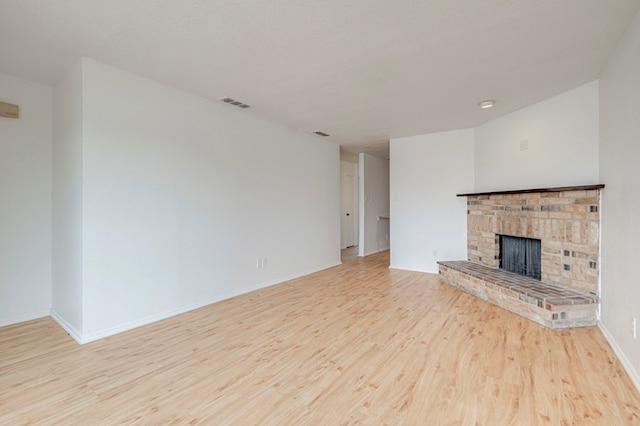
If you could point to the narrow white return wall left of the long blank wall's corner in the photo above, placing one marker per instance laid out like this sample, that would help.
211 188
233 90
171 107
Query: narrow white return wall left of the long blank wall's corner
67 285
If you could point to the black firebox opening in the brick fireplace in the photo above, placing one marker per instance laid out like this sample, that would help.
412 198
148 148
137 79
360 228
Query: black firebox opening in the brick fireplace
521 255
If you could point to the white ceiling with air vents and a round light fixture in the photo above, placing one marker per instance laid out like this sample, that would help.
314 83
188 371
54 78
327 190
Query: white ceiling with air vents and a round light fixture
363 71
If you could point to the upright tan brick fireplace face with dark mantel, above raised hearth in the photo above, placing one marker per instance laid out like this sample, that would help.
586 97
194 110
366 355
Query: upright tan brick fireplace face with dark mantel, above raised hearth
566 221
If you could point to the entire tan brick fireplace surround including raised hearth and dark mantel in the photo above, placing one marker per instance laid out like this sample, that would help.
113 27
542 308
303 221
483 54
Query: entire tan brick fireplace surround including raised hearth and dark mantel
567 221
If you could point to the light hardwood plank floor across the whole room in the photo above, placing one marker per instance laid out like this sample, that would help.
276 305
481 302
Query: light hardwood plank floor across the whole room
355 344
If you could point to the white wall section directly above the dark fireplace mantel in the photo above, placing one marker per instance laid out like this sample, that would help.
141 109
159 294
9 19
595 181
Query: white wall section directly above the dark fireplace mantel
562 137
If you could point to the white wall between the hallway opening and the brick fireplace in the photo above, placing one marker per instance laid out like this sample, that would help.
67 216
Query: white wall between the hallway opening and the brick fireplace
428 221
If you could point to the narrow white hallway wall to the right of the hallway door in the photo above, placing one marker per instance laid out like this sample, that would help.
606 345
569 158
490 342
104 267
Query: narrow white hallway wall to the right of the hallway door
373 201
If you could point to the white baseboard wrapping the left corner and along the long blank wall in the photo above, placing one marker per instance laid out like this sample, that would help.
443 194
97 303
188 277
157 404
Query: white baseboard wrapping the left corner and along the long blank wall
90 337
